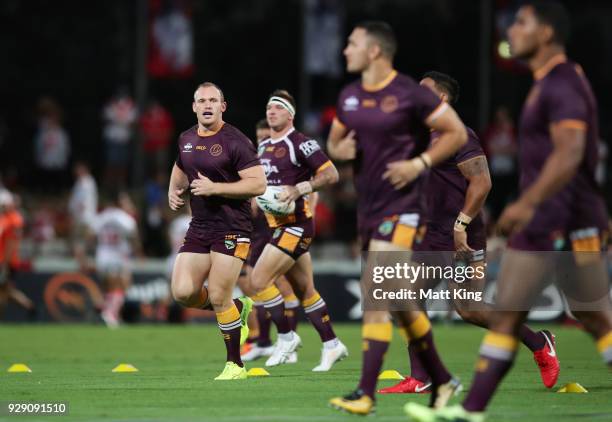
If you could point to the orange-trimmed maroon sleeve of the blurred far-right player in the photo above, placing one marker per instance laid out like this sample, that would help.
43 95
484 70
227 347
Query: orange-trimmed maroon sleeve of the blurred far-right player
566 105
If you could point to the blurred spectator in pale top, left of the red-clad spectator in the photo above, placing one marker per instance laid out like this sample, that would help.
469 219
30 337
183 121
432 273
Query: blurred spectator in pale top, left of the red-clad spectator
119 116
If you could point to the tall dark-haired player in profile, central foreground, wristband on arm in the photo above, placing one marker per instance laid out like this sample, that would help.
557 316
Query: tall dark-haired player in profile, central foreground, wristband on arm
383 123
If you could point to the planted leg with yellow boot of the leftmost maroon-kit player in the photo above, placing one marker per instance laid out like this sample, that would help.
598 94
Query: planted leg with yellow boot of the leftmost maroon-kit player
224 272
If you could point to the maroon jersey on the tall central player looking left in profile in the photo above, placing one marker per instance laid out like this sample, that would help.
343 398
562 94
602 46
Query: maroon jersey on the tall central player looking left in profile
389 122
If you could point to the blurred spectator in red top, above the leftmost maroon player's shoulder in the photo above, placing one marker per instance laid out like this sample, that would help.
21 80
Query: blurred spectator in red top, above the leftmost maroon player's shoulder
157 129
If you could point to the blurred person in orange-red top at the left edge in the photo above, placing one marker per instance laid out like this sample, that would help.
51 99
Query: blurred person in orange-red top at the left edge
11 231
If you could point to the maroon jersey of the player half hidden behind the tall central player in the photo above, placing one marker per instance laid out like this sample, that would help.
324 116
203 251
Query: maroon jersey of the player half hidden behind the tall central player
445 191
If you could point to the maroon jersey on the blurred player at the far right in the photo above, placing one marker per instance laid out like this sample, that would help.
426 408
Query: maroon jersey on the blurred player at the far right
561 94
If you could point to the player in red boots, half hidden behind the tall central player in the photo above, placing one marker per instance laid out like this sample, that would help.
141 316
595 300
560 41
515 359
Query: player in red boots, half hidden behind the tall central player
456 191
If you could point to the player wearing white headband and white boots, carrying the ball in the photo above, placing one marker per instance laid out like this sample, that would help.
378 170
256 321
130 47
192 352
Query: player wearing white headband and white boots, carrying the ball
297 163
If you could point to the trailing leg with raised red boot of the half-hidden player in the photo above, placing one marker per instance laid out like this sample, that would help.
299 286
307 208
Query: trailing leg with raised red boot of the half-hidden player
541 343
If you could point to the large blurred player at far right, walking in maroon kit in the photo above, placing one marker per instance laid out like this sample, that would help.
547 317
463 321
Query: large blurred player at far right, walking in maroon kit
559 204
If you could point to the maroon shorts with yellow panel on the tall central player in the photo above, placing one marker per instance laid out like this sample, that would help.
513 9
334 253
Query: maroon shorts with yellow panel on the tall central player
399 229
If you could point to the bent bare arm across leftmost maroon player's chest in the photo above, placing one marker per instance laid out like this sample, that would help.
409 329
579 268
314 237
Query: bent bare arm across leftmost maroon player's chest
252 183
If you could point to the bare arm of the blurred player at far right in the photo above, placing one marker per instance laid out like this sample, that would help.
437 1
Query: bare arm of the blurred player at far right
569 141
